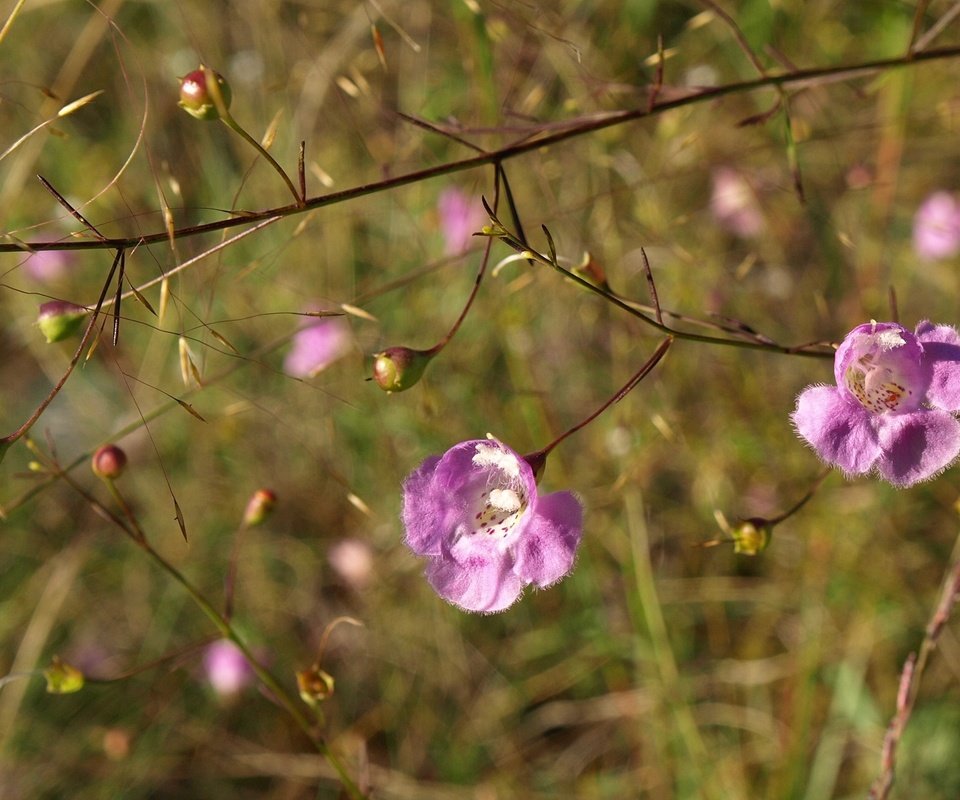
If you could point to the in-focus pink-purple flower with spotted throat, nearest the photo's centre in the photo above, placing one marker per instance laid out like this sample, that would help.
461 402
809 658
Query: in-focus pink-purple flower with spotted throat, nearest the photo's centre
475 513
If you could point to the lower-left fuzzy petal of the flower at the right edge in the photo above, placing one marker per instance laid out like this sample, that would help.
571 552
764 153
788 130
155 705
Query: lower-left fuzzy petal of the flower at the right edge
837 429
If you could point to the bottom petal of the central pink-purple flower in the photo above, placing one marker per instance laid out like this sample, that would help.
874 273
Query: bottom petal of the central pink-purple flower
482 584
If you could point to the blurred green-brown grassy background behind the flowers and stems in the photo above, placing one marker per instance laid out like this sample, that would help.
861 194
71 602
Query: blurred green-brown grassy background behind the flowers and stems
659 668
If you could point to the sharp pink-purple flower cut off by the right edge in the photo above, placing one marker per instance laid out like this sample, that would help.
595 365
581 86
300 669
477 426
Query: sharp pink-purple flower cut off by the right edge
891 410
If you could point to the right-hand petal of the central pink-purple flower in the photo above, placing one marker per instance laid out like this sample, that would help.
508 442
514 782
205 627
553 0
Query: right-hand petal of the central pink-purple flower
549 544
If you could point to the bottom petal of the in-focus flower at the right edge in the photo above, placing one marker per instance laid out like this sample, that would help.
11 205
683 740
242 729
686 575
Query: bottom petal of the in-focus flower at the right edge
918 446
